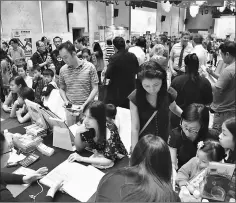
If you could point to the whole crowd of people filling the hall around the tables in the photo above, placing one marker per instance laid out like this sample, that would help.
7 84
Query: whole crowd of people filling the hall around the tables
170 90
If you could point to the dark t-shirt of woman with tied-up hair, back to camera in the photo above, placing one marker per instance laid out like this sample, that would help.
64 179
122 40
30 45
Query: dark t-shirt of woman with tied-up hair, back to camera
190 92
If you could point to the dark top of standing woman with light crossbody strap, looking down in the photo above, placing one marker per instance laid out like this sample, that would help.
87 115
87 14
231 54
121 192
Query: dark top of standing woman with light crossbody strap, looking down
144 116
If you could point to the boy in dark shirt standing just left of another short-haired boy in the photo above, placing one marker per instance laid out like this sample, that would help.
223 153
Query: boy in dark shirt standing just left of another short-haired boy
38 84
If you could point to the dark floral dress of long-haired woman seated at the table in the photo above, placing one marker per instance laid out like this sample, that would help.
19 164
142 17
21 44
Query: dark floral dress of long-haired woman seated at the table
112 148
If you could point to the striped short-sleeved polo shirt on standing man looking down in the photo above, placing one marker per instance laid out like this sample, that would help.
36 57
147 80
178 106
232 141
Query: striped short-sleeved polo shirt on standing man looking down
78 81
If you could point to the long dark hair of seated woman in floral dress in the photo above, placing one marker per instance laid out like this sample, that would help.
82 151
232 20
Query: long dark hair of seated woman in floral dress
98 112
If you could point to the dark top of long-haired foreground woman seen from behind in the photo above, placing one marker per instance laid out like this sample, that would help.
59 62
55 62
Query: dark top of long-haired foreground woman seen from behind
114 187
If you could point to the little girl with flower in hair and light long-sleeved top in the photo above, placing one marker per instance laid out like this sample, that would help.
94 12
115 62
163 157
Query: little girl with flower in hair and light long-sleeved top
207 151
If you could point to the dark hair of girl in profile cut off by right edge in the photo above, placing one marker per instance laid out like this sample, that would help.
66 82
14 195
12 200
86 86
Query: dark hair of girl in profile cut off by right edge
230 124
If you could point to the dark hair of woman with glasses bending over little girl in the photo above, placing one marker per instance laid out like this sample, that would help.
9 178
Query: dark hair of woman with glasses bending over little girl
200 113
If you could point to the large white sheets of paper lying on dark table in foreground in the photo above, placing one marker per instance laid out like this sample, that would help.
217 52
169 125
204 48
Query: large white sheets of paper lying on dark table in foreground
80 181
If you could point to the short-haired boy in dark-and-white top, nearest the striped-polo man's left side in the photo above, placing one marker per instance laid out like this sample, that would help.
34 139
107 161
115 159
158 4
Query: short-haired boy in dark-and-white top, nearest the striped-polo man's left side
48 75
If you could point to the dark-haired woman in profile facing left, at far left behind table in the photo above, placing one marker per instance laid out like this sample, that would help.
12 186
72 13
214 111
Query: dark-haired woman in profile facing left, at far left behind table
16 84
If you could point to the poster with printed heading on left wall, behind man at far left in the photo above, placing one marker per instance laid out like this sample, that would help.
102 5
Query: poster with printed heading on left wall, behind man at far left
25 40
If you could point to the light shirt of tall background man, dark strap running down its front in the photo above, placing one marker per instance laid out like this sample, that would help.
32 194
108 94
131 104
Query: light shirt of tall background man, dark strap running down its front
175 55
